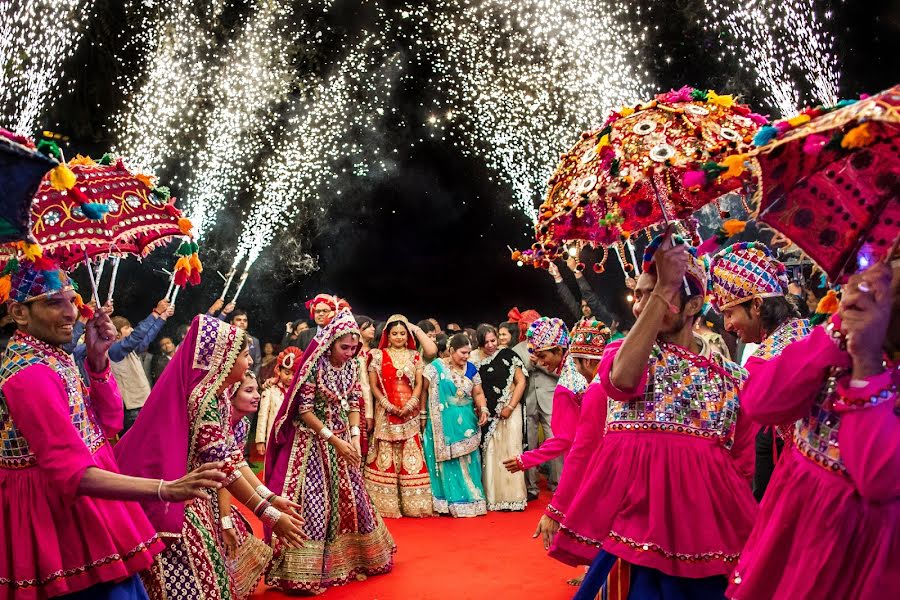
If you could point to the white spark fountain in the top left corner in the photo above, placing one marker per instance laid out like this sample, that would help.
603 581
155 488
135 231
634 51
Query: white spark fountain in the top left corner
36 37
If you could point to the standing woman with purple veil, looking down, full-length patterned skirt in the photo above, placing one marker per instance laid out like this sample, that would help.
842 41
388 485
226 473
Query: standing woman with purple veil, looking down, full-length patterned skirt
314 458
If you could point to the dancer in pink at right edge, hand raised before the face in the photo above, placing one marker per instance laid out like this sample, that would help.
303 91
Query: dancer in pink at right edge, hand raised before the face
830 525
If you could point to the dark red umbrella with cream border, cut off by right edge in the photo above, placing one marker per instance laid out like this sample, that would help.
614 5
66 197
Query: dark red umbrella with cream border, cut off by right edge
830 180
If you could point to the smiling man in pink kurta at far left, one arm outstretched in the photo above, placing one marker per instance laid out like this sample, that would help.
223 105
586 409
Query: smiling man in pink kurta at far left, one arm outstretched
64 519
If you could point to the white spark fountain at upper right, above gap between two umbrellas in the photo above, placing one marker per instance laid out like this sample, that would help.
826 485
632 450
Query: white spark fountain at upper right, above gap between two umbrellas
773 40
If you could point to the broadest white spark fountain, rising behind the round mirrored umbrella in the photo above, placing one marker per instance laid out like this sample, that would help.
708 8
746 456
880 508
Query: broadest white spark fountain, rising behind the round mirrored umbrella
520 80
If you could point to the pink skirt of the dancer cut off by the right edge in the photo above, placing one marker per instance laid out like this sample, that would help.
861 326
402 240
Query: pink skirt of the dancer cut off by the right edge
817 538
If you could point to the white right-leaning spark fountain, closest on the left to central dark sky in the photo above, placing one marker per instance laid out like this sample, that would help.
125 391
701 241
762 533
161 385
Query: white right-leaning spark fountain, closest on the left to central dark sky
331 122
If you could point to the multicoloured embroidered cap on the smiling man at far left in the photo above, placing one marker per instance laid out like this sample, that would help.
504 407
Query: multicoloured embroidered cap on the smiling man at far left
28 276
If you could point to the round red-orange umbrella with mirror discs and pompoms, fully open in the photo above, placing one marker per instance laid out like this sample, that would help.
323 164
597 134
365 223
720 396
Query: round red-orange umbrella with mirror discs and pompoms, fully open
649 164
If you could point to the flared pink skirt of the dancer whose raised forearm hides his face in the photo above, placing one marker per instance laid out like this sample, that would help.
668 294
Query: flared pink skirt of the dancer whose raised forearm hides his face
660 500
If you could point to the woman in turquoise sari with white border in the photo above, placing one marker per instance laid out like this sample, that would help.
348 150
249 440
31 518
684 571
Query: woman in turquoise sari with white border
455 411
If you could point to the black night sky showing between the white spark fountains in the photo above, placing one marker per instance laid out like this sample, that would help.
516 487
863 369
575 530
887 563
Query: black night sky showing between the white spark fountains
430 239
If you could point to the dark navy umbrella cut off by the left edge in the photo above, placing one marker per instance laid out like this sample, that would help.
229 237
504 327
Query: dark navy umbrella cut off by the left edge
21 169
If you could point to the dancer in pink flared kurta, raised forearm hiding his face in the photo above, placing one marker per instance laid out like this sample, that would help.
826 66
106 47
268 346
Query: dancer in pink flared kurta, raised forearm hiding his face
668 490
